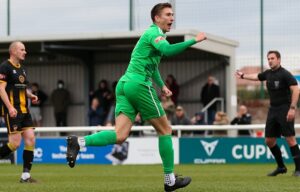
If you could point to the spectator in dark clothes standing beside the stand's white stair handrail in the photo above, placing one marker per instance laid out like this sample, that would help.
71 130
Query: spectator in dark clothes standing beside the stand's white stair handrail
210 91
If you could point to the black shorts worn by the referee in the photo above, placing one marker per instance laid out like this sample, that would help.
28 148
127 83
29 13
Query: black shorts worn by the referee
277 124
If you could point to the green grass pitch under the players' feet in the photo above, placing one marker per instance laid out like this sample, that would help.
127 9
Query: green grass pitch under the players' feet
147 178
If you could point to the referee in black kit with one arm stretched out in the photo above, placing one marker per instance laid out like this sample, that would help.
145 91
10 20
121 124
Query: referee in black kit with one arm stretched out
284 94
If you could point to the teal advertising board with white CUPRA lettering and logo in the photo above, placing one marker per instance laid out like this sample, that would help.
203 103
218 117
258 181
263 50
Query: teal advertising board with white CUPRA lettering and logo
229 150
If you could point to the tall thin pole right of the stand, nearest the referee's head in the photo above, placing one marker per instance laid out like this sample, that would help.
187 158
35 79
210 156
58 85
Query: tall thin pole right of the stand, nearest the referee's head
262 92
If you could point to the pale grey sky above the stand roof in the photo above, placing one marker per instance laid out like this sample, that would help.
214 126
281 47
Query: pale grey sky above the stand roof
233 19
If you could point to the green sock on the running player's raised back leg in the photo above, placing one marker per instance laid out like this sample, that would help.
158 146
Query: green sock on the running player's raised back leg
101 138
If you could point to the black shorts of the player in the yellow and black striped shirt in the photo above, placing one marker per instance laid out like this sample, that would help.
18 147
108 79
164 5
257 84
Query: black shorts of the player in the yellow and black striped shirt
19 123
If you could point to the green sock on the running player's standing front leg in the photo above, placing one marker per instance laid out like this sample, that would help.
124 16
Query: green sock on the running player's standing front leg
166 153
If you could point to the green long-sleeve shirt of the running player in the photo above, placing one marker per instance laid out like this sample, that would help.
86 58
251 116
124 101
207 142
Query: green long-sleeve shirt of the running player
147 54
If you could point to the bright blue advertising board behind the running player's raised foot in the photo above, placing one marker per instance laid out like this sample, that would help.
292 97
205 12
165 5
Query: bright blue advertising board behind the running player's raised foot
53 150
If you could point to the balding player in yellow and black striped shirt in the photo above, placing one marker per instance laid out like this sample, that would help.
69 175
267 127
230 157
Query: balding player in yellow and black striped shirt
14 95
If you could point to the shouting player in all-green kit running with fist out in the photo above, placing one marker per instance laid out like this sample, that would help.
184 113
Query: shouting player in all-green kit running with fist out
135 94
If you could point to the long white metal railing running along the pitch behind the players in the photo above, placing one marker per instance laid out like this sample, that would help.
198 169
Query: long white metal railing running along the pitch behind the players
178 128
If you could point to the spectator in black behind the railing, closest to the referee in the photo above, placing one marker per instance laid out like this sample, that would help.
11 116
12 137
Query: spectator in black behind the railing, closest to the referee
242 118
